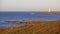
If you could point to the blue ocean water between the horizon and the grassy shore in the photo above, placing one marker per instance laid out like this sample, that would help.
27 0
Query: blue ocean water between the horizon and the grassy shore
19 16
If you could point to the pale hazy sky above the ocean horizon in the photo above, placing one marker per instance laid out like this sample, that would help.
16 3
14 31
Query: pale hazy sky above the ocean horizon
29 5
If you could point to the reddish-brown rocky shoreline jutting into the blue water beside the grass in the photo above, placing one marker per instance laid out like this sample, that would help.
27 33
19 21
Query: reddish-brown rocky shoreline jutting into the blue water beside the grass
28 22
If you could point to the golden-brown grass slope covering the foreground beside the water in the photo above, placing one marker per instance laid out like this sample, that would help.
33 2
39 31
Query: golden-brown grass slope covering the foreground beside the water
36 27
